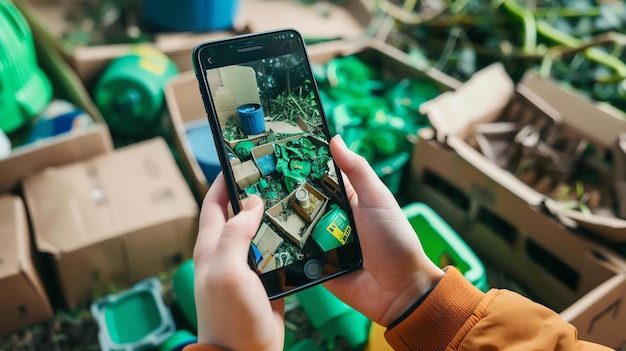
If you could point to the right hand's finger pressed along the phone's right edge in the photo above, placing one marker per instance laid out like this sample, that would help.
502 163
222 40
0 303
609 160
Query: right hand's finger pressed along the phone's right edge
363 178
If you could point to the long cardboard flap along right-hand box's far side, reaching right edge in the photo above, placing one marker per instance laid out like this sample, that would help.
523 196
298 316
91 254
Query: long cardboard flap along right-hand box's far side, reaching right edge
601 124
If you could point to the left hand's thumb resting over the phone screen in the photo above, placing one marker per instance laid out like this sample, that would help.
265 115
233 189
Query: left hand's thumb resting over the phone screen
240 229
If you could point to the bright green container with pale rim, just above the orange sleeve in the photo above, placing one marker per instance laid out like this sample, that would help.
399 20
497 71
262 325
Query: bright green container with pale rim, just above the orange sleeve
443 245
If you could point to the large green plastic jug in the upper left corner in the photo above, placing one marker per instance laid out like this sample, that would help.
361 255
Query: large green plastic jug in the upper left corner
24 88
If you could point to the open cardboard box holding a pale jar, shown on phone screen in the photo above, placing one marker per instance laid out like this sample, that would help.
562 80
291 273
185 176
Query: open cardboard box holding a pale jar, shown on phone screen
294 226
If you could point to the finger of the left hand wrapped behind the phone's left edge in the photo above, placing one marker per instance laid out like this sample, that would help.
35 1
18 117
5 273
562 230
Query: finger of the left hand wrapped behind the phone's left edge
213 217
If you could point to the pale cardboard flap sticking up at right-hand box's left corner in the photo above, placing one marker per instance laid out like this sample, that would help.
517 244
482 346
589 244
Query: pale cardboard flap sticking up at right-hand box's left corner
480 100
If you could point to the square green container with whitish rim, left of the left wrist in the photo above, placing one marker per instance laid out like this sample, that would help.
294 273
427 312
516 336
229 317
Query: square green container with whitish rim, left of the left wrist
135 319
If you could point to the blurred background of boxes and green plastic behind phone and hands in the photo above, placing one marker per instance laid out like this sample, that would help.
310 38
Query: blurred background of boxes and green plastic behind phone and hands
500 127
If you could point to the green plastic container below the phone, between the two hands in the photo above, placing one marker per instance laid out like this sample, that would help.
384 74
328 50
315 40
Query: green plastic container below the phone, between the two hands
333 318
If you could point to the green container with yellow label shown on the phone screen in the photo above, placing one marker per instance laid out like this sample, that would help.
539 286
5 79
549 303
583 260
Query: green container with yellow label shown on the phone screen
332 230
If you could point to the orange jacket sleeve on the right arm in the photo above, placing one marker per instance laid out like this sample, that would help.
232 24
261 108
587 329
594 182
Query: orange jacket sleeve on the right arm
457 316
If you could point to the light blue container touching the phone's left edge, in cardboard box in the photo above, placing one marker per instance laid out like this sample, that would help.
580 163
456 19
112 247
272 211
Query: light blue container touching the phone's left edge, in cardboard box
203 147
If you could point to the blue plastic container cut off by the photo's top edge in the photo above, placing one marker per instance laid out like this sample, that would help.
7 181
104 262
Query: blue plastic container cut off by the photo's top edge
190 15
